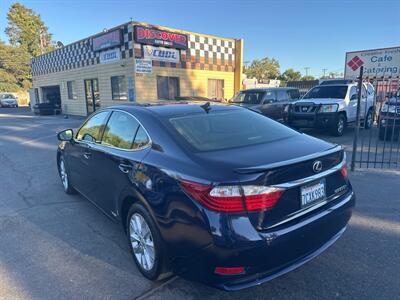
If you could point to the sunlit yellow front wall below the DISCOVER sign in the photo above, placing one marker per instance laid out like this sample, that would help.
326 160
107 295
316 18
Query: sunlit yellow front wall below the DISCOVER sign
192 82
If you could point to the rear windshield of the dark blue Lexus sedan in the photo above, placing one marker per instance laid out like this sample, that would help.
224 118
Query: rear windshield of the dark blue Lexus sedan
228 129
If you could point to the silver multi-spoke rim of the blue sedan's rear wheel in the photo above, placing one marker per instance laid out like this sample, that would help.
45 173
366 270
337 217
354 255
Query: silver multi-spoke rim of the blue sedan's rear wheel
142 241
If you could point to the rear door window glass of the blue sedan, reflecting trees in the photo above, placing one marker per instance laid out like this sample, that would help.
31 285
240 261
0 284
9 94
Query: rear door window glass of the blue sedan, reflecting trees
120 130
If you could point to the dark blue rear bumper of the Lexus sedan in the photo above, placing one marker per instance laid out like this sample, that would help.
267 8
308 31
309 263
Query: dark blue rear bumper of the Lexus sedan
266 255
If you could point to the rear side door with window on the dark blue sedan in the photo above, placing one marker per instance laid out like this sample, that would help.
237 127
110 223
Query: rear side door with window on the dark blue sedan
124 144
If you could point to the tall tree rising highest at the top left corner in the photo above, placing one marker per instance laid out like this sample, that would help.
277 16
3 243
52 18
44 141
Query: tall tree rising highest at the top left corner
26 29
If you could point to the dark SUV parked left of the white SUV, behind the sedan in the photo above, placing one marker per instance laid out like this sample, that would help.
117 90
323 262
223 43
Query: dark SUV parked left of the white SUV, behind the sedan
270 102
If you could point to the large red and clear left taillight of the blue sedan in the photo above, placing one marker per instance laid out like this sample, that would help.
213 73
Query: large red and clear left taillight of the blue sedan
233 198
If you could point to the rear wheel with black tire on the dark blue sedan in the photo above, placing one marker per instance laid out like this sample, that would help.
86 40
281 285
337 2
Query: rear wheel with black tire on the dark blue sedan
144 237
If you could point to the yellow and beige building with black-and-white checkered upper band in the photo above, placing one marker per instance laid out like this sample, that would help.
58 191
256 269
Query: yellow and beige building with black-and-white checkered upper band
137 62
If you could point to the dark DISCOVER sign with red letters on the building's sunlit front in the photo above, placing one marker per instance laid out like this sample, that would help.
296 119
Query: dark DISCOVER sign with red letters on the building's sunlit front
153 36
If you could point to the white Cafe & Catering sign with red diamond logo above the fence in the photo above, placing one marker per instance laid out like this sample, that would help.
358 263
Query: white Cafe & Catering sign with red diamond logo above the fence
377 63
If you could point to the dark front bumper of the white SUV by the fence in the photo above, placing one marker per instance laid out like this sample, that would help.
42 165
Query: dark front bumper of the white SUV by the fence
312 120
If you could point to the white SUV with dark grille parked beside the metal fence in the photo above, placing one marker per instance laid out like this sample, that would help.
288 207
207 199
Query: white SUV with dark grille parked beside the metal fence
333 106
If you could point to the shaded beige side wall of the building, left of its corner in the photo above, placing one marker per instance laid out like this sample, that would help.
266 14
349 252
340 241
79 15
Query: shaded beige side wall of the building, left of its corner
101 71
